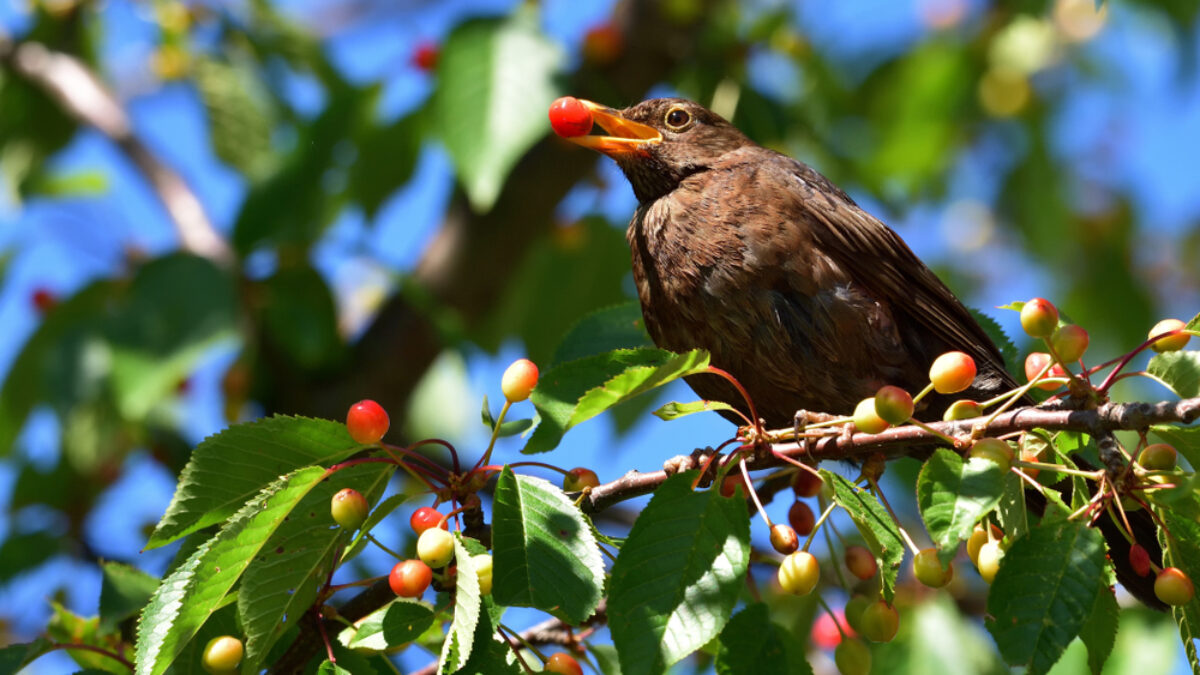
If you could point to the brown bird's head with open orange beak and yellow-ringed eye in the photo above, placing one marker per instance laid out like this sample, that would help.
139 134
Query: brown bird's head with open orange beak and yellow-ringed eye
661 142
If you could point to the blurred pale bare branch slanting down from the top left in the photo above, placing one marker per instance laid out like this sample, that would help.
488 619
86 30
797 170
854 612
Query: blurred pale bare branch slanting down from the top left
81 94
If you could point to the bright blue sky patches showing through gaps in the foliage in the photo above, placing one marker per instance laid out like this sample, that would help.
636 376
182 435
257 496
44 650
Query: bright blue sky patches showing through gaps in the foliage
1137 126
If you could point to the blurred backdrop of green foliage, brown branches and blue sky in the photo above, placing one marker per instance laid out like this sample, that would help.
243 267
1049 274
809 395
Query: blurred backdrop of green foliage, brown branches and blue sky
219 211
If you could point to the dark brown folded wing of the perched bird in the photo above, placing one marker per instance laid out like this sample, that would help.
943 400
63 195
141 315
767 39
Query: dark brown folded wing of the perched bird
879 259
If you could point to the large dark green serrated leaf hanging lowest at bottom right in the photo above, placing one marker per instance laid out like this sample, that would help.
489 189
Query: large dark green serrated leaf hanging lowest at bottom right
1045 593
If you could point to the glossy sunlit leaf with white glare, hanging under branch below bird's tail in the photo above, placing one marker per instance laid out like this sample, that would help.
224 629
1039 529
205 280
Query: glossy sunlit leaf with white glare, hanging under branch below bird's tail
953 495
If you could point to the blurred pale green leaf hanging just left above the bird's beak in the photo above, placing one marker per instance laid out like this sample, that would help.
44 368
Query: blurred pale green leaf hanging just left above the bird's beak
494 88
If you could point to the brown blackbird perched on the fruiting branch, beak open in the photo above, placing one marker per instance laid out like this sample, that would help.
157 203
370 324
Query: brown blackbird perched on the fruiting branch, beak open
807 300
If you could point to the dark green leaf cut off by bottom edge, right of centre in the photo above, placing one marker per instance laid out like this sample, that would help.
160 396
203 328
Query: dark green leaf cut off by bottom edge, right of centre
753 646
